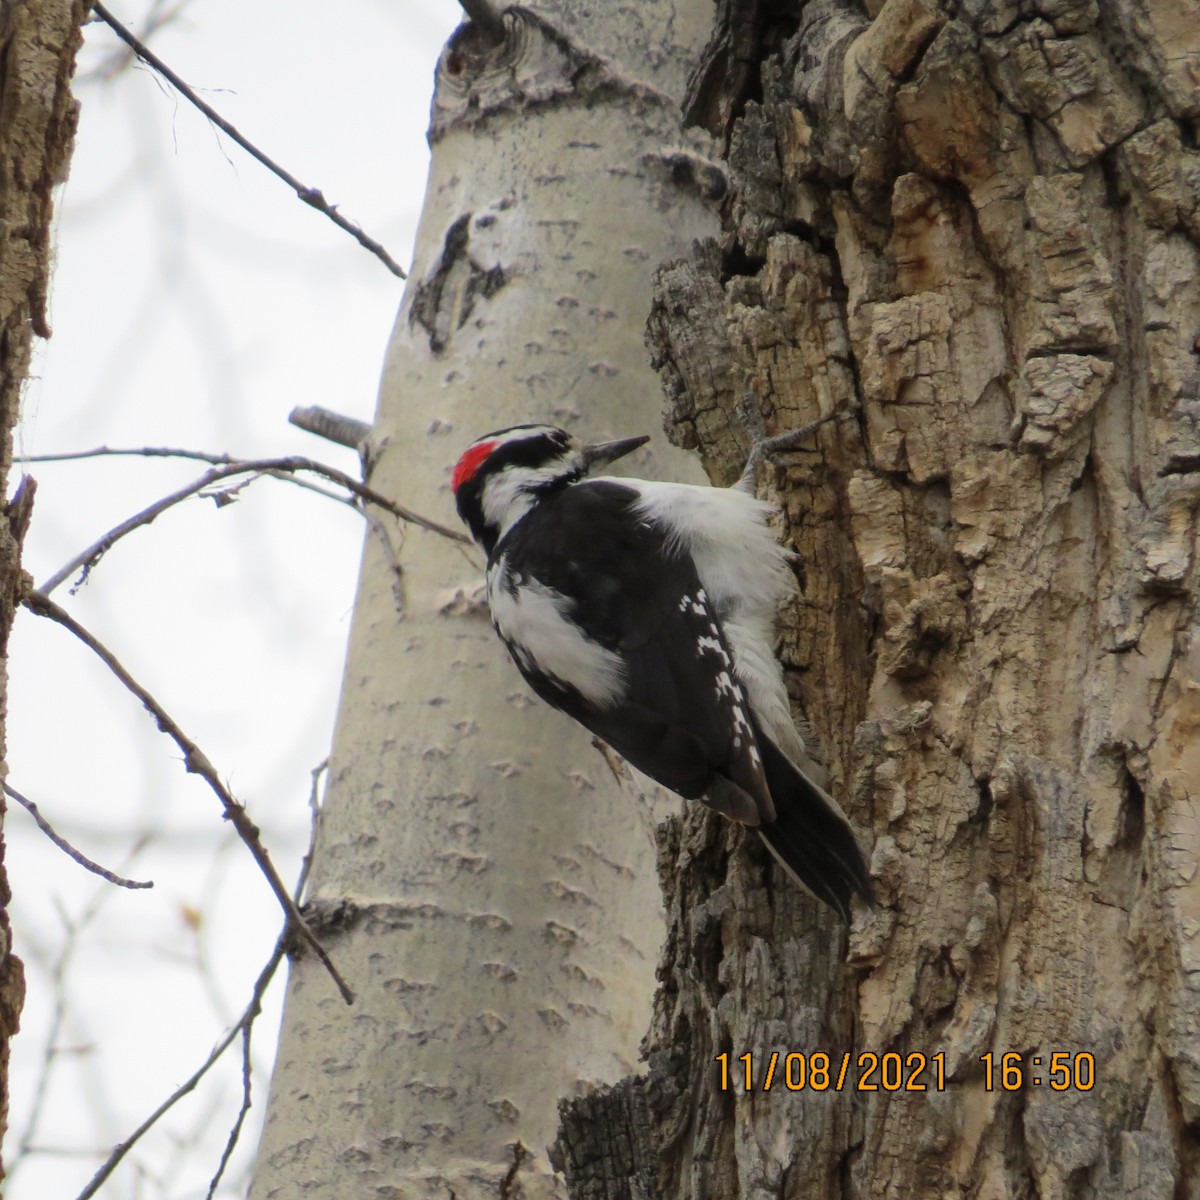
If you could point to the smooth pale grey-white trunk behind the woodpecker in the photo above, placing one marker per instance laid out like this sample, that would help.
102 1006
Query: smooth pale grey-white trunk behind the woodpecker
482 878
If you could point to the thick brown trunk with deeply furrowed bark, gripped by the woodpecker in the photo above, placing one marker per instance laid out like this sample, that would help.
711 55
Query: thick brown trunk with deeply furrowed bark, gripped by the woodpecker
977 227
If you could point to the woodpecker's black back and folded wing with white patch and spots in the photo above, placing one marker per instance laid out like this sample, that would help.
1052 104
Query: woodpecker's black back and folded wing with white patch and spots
611 626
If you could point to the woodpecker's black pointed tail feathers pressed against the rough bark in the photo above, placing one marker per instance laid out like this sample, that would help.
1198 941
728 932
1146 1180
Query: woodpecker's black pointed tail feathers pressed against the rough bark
812 837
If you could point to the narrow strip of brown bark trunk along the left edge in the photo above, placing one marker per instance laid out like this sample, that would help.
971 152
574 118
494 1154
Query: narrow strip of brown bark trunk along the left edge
39 41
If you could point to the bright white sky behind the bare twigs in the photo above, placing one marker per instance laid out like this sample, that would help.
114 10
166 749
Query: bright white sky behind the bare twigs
196 302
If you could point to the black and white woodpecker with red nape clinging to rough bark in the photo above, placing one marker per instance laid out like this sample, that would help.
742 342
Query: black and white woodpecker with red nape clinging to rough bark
646 611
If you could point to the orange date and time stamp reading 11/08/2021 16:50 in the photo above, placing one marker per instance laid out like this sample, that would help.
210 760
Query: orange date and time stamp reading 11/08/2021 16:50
819 1072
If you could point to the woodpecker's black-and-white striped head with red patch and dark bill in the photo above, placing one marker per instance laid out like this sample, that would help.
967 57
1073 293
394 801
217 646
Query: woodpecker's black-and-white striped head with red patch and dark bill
503 475
